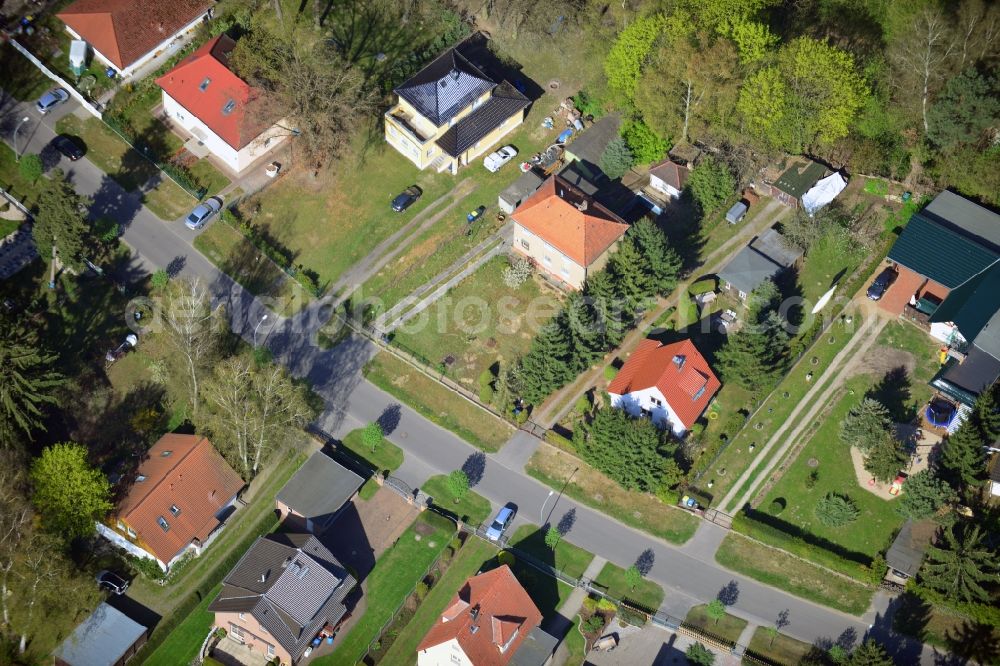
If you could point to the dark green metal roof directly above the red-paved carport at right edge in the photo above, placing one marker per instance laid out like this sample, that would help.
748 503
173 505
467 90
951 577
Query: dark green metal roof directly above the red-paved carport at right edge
939 253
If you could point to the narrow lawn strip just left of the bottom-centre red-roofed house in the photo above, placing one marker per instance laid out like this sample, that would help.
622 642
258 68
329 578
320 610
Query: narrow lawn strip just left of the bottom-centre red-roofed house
465 564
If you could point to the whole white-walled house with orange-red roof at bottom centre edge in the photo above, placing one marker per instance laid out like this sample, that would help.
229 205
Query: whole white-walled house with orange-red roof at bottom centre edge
490 622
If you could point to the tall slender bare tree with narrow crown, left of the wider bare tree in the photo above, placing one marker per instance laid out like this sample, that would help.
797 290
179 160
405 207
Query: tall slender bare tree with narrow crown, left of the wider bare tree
190 324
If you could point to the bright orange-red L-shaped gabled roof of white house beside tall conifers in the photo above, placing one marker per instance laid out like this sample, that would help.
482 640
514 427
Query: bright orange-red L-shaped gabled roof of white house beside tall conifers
652 364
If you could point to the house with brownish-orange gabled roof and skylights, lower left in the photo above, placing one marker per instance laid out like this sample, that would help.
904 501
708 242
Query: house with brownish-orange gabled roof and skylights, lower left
178 500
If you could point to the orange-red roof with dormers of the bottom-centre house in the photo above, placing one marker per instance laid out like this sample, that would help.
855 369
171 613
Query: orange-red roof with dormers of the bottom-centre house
506 615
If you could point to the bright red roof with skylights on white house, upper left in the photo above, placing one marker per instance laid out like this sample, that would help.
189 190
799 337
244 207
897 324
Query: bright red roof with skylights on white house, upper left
221 103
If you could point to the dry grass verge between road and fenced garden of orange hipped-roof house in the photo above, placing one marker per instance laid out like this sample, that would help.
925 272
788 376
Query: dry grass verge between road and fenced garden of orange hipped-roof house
437 403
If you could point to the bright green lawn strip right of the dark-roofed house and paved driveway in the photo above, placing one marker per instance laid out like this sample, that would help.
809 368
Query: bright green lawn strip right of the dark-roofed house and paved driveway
394 576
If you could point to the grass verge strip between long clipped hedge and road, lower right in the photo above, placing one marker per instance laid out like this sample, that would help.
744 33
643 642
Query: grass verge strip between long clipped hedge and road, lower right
774 567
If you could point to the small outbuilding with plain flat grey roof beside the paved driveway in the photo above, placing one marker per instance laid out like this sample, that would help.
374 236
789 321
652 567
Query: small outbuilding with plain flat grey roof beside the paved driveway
317 493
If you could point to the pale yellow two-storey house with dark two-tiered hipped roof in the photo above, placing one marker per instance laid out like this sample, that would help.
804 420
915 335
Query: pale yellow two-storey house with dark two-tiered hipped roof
451 112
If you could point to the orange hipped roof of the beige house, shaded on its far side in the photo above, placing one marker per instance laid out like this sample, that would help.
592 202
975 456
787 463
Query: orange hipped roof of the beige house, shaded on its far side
553 213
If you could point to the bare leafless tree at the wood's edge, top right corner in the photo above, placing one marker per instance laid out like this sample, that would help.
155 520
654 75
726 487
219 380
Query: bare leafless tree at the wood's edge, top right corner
922 55
